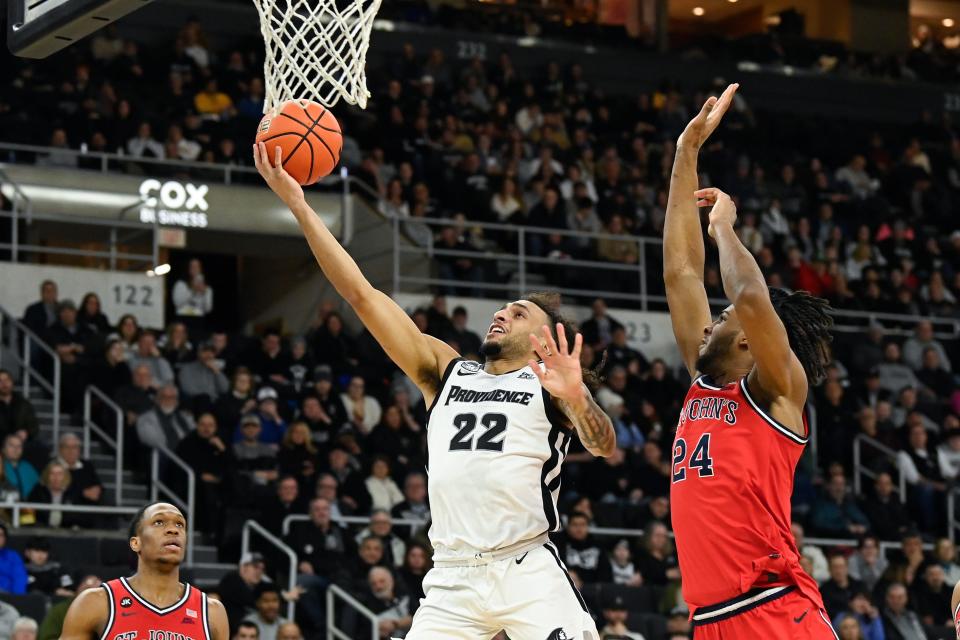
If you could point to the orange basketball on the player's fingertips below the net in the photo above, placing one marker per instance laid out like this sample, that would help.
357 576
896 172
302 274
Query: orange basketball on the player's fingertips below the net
309 136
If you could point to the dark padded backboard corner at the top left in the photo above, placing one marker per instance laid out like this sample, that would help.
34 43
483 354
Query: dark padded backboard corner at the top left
38 28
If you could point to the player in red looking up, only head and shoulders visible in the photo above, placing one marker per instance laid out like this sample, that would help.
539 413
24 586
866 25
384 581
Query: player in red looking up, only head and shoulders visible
153 604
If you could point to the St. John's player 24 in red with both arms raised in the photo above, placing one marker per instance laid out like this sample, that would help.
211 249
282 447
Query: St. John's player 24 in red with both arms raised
742 427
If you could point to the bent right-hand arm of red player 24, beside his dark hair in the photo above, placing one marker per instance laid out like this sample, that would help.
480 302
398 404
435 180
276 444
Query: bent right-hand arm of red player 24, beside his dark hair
778 371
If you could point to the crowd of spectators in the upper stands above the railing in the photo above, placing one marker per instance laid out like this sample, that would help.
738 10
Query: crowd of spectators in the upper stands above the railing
855 212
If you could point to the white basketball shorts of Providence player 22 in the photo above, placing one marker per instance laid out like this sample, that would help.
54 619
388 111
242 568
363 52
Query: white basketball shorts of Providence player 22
530 596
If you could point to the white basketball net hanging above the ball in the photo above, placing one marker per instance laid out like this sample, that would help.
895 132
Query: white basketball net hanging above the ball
316 50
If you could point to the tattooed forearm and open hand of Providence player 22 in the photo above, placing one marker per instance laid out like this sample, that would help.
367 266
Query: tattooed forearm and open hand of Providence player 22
562 378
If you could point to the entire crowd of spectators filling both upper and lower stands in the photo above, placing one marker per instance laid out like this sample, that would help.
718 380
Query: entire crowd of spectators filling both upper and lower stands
323 426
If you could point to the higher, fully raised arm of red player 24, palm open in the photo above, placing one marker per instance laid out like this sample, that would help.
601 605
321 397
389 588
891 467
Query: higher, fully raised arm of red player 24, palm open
683 252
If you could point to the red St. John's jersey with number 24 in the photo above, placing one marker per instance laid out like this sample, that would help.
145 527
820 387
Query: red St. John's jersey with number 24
732 479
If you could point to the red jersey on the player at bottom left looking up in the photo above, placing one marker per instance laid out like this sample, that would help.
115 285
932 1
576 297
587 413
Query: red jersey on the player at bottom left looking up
133 618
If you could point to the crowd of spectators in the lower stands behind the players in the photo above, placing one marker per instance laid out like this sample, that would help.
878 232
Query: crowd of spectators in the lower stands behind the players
323 426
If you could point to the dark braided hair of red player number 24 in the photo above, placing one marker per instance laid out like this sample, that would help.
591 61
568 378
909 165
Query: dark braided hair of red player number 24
808 323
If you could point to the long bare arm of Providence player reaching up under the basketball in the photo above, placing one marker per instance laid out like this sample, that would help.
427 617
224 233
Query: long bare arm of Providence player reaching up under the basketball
421 357
